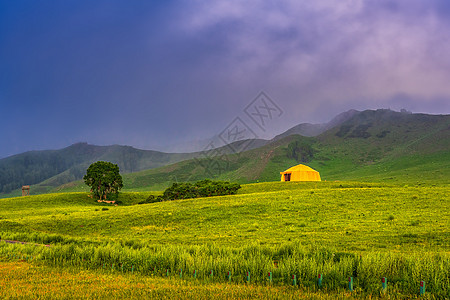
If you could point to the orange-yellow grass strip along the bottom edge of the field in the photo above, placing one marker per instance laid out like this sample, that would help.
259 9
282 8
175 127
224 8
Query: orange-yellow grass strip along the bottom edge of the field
21 280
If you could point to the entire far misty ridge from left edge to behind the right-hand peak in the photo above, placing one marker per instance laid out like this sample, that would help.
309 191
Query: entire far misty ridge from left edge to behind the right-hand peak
48 169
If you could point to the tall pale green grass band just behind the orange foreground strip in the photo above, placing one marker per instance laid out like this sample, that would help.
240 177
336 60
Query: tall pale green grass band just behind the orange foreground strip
213 264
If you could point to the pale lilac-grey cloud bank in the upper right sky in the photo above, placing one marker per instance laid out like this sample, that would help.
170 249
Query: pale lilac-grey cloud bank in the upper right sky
338 52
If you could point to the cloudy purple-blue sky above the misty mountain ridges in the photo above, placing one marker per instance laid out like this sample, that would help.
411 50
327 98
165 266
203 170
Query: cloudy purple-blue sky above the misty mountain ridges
164 75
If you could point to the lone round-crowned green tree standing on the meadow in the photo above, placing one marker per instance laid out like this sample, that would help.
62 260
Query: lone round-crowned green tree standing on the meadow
104 180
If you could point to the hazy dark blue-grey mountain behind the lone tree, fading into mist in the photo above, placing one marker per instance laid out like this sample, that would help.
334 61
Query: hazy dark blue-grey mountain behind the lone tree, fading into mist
55 167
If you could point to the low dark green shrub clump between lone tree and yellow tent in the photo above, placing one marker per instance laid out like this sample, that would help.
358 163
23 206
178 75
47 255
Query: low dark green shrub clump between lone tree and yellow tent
203 188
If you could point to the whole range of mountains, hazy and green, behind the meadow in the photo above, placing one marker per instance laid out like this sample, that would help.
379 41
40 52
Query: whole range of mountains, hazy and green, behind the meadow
380 145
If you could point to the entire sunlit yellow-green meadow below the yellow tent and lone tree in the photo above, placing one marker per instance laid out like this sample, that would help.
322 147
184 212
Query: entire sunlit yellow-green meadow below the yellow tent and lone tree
338 229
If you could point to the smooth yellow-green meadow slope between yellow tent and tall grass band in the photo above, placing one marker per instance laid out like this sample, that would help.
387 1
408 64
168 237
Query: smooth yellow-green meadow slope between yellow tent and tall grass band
350 216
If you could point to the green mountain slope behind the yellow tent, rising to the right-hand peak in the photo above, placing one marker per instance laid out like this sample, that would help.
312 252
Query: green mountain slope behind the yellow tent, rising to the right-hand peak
377 145
